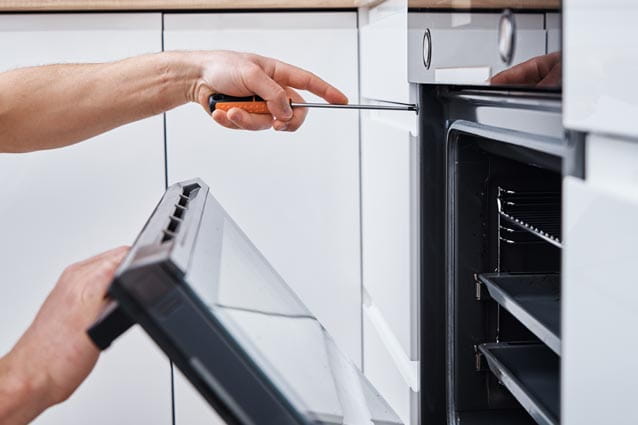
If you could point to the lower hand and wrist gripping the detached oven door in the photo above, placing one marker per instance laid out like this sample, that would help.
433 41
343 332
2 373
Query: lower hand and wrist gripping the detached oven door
55 354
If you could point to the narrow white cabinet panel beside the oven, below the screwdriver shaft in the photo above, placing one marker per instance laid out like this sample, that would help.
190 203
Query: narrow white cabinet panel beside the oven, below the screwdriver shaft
390 224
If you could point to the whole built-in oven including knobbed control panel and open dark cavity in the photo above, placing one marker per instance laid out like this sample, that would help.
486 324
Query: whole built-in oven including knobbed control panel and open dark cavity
493 156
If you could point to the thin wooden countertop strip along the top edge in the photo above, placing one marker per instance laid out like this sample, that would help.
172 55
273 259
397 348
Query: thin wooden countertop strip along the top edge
78 5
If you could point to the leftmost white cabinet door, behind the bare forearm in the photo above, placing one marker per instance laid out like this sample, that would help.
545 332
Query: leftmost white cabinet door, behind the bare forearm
63 205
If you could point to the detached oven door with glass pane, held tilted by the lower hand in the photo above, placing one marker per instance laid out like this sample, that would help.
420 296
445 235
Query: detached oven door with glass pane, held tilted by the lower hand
223 315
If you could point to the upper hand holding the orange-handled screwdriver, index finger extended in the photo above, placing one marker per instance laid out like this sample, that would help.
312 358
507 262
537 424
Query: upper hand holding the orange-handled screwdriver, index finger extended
245 74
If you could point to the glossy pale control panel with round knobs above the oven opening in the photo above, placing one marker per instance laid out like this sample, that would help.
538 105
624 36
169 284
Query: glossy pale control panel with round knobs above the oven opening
462 48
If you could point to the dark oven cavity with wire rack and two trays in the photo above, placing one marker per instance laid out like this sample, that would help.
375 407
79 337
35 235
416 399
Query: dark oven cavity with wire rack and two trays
504 299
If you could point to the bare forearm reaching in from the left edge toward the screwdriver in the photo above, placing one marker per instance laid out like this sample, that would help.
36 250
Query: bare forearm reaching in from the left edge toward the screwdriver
57 105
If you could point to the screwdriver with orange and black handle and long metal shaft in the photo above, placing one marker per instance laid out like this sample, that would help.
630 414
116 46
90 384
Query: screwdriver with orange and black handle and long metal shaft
257 105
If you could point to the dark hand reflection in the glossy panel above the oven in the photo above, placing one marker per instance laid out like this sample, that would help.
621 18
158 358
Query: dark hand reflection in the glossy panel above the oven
541 71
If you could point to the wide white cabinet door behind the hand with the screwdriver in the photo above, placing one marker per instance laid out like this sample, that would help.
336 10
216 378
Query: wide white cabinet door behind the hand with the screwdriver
296 195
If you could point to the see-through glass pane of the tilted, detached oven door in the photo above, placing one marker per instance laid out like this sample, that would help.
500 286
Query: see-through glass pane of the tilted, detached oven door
270 323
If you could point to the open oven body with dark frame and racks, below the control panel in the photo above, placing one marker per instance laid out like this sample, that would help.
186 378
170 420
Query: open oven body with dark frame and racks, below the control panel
491 304
